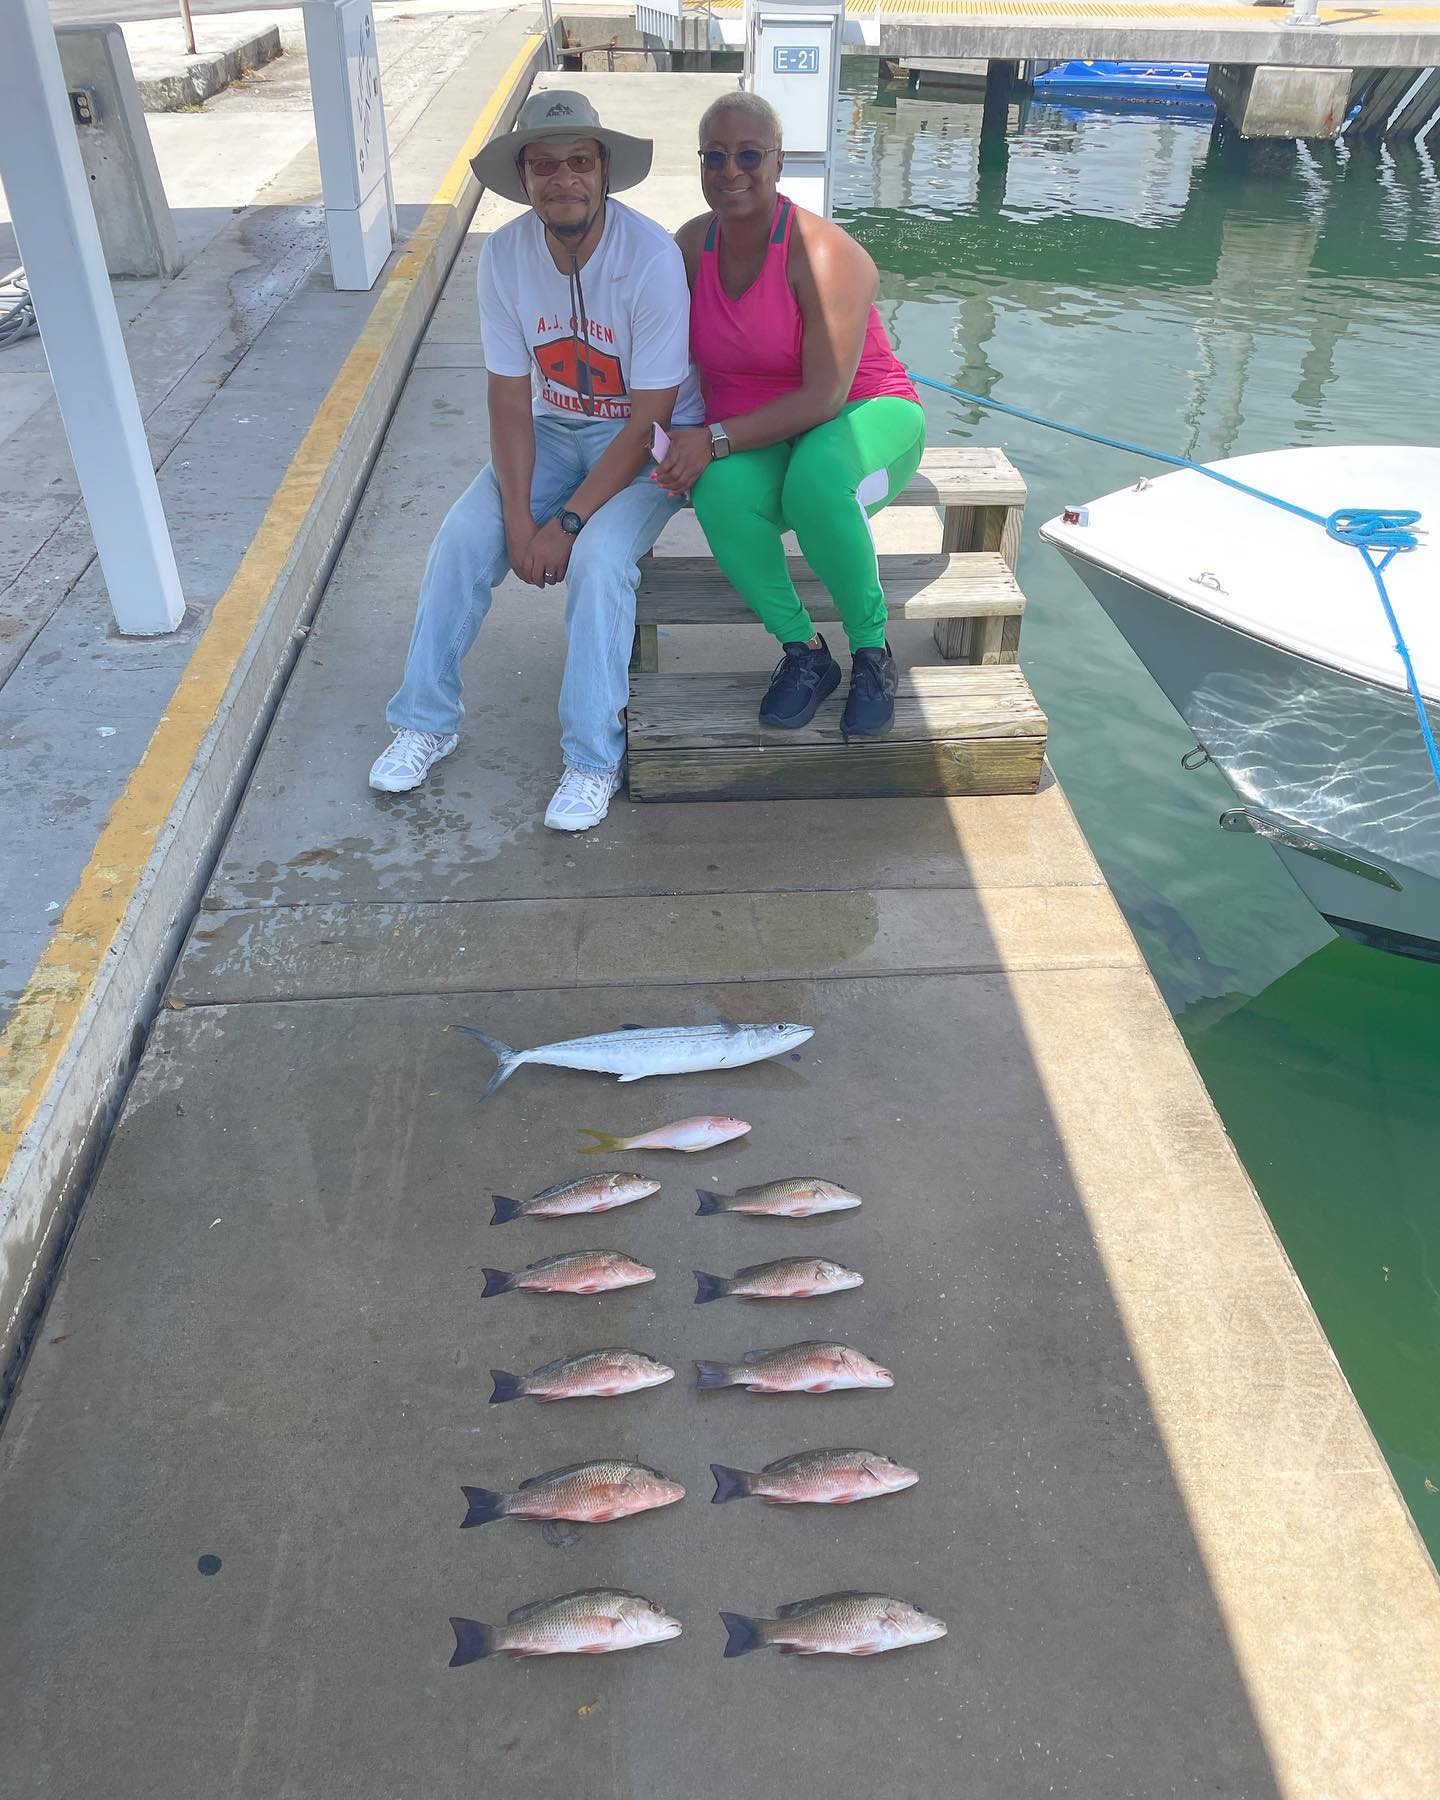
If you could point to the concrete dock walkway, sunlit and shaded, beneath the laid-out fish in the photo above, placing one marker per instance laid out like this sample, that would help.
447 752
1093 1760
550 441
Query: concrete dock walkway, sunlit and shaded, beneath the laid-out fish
1167 1547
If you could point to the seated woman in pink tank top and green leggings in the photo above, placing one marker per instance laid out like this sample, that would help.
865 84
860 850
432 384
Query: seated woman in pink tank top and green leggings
813 422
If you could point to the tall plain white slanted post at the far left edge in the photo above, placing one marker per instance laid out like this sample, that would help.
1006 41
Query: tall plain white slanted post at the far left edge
60 246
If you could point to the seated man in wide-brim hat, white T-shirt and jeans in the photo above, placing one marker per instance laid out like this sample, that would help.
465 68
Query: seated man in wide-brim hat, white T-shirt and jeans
586 330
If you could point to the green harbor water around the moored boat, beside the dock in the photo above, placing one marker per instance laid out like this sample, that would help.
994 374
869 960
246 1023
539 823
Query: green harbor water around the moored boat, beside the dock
1133 276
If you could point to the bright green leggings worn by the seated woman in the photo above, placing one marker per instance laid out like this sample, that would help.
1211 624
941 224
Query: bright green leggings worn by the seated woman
825 487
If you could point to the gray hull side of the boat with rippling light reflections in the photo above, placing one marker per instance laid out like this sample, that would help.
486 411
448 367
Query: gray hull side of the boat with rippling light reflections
1329 768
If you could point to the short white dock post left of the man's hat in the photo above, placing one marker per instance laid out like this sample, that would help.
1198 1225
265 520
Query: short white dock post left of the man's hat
350 138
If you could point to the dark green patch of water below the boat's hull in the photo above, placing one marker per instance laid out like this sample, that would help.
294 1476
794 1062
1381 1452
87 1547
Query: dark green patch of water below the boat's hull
1327 1088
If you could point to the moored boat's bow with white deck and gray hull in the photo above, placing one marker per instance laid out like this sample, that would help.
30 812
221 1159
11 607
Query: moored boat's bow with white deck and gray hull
1270 640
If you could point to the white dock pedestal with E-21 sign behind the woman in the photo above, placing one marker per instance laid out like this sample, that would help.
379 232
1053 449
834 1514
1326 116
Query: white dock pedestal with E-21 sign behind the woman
795 62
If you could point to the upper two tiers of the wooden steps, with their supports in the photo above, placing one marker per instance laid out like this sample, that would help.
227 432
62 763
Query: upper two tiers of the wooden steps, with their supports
967 588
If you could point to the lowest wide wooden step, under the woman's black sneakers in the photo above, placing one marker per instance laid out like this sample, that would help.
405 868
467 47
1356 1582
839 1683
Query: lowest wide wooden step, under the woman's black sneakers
958 730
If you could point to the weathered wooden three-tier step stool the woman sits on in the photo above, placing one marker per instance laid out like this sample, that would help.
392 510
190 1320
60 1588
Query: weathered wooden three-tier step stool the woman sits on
966 726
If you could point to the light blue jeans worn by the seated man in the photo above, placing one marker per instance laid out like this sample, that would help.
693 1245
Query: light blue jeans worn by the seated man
469 559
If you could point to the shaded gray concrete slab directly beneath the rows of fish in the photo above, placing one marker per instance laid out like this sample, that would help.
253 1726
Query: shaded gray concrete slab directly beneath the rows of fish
296 1383
